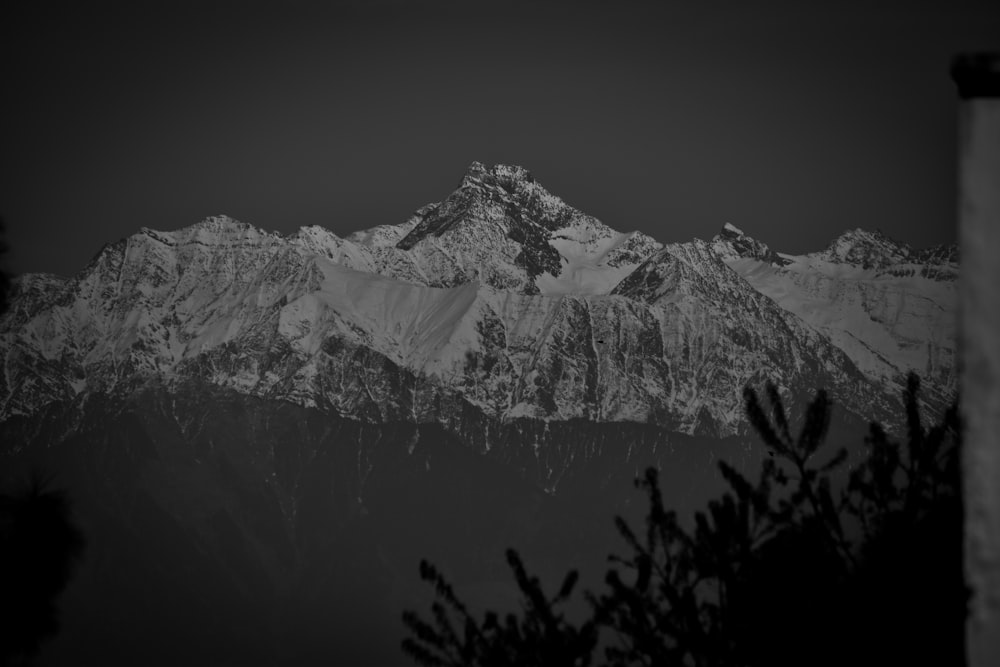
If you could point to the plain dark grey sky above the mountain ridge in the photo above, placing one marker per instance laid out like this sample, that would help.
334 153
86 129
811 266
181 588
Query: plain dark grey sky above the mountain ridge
792 122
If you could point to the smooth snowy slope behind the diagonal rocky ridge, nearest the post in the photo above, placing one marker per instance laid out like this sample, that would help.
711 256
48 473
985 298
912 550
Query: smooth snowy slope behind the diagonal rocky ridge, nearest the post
890 308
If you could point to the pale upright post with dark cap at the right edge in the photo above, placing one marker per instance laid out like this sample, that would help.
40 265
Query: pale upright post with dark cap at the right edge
978 79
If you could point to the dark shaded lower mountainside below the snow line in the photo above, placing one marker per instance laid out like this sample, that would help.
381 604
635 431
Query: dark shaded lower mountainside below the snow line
226 528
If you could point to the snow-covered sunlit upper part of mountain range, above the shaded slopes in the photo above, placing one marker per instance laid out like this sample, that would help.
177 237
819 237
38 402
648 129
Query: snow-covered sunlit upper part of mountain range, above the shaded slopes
501 300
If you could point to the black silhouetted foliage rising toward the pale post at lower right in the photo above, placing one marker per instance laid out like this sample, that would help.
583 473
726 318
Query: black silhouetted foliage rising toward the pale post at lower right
820 561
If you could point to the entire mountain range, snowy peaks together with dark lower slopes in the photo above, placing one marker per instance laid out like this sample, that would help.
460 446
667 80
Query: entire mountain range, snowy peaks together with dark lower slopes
286 409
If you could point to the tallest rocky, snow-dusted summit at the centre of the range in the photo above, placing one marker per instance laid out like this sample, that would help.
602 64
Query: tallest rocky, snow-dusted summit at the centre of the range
503 228
